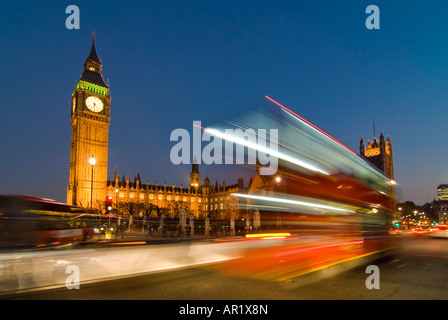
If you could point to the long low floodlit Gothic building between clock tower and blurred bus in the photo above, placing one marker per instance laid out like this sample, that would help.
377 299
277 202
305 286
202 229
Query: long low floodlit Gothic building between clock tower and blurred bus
200 200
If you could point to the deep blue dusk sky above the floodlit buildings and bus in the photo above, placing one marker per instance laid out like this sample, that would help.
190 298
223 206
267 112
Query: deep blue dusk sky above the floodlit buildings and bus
172 62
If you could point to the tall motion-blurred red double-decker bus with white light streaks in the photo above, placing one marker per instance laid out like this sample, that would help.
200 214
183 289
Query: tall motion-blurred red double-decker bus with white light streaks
329 204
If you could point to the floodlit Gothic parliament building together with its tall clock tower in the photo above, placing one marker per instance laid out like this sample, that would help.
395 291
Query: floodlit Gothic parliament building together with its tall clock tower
89 186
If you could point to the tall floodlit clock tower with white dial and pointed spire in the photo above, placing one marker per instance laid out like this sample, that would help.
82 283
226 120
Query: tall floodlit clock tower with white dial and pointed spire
90 117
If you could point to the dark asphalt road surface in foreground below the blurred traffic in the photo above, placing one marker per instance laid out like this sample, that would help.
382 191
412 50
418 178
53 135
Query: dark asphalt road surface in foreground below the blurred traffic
418 271
